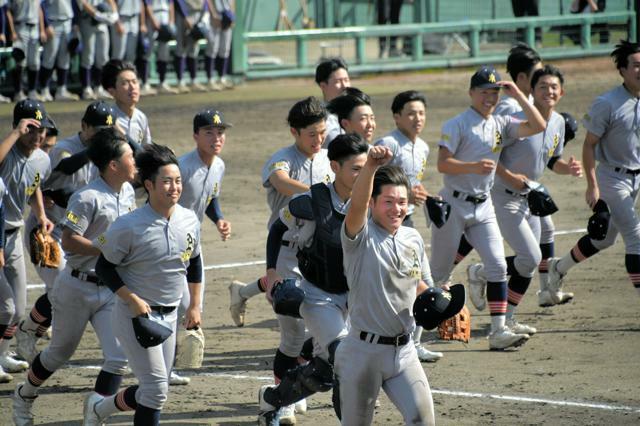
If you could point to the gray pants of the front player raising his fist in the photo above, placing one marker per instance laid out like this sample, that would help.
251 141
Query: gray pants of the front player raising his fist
363 368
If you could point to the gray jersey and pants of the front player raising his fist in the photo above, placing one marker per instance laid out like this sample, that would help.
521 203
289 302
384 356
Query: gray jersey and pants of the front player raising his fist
383 272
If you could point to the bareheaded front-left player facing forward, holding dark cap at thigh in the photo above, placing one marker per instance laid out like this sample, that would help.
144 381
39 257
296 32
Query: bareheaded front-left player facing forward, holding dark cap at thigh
154 248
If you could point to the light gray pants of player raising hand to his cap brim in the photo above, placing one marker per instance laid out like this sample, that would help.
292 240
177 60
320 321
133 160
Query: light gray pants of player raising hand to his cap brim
478 223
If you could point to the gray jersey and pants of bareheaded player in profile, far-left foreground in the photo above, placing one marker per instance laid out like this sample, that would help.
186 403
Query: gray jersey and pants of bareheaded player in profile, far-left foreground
77 297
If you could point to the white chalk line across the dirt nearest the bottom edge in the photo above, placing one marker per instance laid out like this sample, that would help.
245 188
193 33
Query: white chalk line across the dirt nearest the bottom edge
479 395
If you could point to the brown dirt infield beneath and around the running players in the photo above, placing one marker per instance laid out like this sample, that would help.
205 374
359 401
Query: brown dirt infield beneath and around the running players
581 368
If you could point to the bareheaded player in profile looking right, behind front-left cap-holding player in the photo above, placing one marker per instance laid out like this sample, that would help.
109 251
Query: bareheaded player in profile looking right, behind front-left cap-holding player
79 297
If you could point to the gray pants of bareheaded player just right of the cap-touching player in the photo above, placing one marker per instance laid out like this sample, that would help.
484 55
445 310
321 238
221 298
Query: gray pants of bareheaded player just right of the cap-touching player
520 229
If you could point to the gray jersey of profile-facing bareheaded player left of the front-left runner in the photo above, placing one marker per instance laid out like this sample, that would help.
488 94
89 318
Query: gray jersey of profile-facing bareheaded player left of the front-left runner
90 212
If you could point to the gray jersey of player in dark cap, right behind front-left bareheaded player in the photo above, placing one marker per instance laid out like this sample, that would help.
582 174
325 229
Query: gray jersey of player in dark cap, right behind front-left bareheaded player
200 183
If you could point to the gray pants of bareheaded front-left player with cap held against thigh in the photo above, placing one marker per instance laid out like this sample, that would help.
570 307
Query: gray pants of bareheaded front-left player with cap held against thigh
151 366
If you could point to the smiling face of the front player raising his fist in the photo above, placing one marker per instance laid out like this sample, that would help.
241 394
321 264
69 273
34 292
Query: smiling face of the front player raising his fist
389 208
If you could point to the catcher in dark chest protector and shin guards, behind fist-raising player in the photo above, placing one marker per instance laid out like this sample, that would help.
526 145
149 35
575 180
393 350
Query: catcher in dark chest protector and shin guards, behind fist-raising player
324 309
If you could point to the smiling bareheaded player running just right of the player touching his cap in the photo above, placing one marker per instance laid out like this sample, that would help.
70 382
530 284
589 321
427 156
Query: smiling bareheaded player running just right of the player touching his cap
524 162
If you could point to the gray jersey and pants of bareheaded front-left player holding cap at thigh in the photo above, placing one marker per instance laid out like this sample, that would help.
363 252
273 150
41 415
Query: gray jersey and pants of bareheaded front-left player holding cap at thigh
151 254
